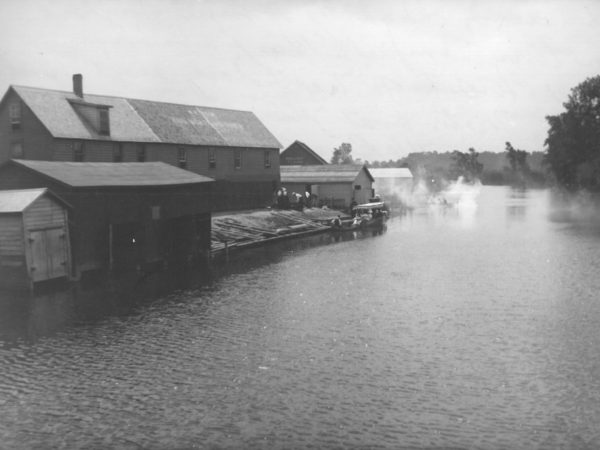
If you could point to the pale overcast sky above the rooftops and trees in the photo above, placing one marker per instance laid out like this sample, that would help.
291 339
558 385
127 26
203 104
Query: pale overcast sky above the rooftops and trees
389 77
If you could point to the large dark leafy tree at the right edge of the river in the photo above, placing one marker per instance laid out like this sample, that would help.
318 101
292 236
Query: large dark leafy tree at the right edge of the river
573 142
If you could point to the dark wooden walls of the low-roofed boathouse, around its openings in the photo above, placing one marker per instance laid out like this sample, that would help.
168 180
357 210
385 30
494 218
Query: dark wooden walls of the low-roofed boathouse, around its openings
94 210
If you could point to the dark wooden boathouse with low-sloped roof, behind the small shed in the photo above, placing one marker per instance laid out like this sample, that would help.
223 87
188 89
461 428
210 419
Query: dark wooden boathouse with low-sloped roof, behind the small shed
124 216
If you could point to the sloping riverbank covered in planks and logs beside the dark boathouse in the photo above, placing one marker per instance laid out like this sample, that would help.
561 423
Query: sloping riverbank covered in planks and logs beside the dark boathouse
242 229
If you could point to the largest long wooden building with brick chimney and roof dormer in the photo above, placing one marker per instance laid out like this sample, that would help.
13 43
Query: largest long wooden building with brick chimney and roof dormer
232 147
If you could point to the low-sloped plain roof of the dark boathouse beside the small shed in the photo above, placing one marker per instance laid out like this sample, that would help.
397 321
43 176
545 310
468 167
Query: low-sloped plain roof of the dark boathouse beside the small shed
99 174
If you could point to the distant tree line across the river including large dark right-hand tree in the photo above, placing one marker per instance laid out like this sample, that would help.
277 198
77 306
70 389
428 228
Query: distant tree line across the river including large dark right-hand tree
570 161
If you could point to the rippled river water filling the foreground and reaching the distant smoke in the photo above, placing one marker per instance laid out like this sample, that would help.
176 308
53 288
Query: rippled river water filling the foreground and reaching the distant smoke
473 326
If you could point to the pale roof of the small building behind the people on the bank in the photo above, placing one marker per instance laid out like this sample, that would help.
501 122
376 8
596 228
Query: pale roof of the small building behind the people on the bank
329 173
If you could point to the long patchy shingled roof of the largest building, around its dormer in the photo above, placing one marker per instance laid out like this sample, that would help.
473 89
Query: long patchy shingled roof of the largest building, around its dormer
147 121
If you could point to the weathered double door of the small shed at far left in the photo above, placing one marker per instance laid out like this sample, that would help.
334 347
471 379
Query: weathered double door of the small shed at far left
48 254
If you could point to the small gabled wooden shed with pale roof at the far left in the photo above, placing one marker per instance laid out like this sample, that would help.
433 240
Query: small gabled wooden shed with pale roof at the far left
34 237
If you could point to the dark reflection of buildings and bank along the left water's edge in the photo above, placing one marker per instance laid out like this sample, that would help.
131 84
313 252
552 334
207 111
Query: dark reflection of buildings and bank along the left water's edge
29 317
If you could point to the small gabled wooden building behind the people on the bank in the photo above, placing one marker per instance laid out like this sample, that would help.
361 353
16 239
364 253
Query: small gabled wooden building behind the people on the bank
334 185
